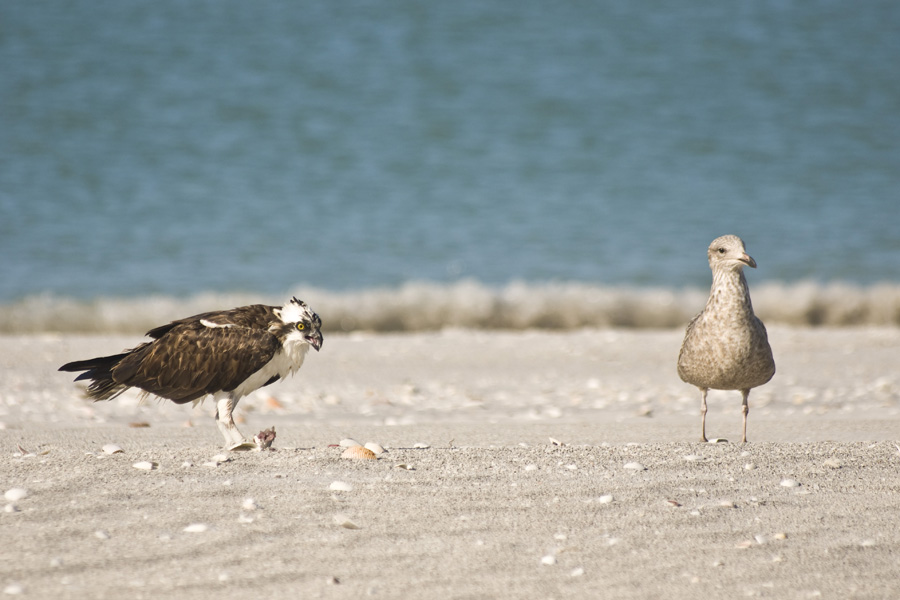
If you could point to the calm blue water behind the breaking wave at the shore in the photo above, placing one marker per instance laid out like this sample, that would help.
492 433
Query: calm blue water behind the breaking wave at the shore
179 148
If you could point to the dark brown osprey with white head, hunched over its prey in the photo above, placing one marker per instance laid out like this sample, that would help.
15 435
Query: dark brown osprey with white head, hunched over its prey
227 353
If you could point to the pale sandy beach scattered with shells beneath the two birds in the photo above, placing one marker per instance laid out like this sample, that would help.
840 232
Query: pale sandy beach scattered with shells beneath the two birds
630 505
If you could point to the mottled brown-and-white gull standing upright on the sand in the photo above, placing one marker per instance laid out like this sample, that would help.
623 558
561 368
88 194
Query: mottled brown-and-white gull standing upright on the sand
726 347
